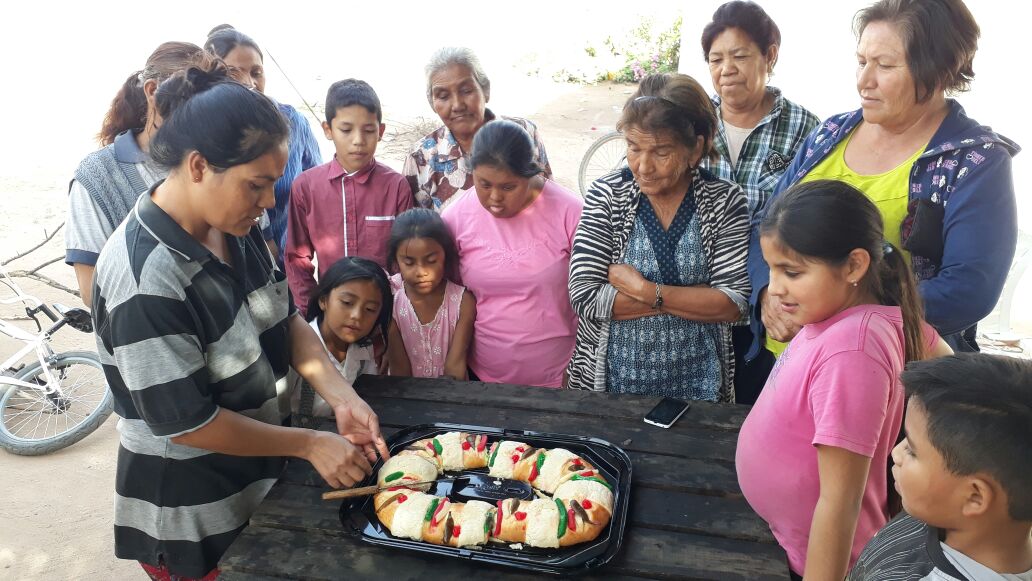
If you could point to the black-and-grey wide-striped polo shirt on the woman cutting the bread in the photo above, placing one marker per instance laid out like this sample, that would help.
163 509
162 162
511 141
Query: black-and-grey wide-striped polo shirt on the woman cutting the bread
183 335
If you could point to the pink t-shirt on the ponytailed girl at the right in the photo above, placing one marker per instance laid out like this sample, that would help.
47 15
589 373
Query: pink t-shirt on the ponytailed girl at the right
837 384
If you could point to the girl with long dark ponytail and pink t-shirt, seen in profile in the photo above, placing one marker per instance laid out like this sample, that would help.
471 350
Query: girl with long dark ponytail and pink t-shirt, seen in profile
814 455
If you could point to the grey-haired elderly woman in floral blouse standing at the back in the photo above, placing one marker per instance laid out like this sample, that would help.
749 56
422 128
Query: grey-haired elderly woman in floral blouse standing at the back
459 90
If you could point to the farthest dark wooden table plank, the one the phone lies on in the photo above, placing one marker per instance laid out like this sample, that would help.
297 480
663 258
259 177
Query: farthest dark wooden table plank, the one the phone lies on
574 403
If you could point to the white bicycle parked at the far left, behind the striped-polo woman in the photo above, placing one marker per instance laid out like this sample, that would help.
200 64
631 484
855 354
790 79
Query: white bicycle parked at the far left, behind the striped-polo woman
58 400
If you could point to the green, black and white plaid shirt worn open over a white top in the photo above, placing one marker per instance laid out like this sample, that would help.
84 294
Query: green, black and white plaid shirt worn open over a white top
767 151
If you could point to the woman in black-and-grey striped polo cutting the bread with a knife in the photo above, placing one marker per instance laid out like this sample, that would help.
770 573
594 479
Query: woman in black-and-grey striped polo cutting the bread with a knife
197 333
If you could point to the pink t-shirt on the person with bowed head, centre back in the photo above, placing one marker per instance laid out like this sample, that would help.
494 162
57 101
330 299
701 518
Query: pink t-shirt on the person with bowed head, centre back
519 270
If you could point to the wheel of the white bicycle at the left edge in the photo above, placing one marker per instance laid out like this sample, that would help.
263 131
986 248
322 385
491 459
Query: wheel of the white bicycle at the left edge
35 424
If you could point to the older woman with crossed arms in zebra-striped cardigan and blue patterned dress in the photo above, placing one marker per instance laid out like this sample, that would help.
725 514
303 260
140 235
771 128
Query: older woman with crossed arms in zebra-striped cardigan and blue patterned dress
658 273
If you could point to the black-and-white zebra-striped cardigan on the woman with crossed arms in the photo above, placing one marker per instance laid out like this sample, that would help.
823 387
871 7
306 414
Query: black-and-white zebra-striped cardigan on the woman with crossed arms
602 238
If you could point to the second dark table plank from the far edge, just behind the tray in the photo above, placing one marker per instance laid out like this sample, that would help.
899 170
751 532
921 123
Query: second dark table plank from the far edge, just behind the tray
682 441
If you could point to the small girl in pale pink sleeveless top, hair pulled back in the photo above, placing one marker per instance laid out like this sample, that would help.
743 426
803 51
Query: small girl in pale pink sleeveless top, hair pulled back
433 326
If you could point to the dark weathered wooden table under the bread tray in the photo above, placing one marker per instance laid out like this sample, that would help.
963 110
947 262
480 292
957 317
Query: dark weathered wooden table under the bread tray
687 519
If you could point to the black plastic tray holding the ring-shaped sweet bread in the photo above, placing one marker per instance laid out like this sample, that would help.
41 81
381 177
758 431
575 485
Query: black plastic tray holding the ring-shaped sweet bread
359 515
